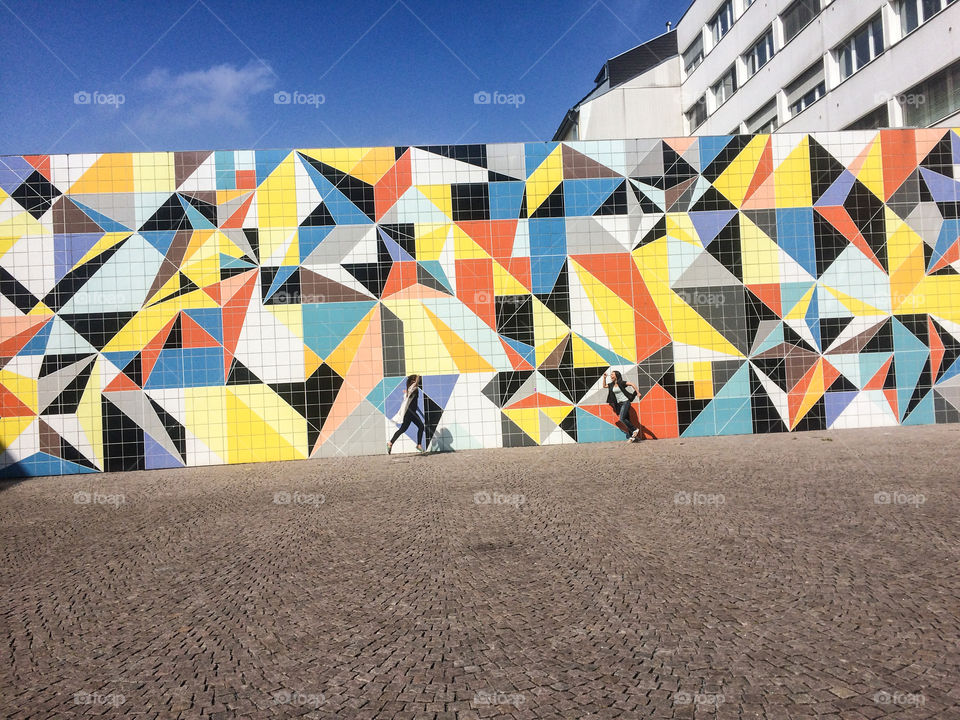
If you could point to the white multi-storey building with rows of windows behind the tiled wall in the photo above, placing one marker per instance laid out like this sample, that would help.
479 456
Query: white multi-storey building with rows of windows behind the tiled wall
756 66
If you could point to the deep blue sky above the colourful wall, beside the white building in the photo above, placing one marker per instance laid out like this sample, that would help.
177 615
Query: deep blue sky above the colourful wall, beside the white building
204 74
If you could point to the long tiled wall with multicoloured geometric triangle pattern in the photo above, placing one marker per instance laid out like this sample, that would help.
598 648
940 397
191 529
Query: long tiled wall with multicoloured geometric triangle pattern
192 308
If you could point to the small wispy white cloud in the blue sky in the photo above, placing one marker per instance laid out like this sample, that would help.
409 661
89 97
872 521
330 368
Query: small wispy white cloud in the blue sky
220 94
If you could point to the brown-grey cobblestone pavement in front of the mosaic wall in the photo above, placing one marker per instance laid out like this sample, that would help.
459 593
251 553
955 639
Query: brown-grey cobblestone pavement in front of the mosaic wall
758 576
